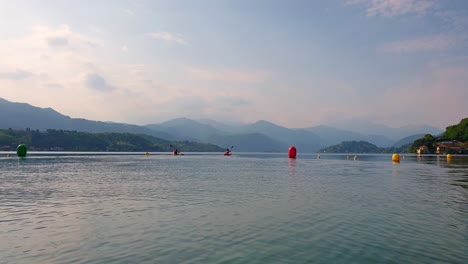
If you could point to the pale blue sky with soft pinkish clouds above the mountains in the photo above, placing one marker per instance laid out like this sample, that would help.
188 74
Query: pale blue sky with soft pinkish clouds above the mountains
295 63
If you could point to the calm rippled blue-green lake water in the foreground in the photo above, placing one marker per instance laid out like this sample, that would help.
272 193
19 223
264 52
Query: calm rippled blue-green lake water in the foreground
247 208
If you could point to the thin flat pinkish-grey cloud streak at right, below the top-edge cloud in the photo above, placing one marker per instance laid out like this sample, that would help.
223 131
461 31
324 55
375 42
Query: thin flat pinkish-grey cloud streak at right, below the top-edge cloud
423 44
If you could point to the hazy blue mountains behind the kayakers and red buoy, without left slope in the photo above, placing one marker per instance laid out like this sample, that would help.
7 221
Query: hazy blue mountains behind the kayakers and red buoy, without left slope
279 138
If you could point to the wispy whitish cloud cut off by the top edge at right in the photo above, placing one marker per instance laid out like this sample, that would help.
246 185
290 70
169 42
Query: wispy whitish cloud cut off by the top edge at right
391 8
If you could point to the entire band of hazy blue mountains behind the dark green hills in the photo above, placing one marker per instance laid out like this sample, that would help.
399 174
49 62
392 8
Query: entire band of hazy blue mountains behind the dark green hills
259 136
